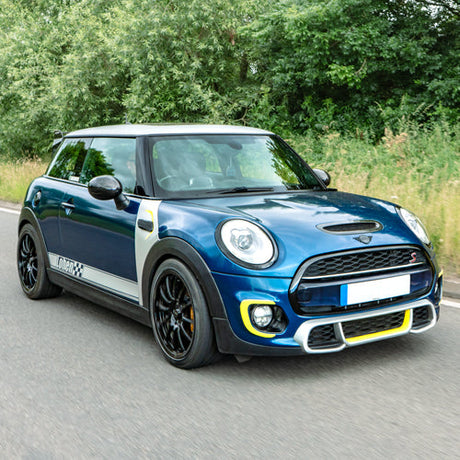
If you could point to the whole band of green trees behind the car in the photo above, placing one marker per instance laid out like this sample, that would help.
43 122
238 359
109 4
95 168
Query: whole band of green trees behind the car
294 65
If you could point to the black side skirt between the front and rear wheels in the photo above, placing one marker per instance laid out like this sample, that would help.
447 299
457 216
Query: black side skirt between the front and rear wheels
101 297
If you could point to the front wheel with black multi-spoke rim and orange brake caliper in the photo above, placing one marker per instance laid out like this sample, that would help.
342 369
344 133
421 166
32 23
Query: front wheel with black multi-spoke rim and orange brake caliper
180 317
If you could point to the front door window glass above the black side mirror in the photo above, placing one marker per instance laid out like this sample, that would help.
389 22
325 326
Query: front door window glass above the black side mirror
114 157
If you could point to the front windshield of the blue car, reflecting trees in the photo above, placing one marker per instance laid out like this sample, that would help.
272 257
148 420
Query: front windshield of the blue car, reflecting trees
185 166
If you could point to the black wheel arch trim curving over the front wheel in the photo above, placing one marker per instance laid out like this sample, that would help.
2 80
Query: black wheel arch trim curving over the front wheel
179 249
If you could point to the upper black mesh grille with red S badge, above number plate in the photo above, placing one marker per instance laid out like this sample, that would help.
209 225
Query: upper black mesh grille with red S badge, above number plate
364 261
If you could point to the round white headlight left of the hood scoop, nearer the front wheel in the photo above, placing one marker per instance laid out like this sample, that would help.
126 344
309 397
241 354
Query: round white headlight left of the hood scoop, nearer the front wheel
246 244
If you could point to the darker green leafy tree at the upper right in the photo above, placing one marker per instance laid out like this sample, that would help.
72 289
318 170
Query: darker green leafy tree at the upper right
357 63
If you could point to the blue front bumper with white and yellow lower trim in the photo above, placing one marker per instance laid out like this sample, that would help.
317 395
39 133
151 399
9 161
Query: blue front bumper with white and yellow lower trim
233 336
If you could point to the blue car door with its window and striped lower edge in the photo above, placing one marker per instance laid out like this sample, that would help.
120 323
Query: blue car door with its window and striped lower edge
97 240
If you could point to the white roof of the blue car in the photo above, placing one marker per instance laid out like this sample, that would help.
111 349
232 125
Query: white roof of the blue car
129 130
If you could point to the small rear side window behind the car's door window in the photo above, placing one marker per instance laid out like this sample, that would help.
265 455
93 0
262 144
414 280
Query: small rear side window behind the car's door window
68 162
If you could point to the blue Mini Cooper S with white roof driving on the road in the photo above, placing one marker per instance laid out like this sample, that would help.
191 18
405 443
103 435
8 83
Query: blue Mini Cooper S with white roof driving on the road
224 241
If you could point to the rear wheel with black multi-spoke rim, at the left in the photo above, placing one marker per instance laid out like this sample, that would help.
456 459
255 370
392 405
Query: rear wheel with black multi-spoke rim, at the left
31 266
